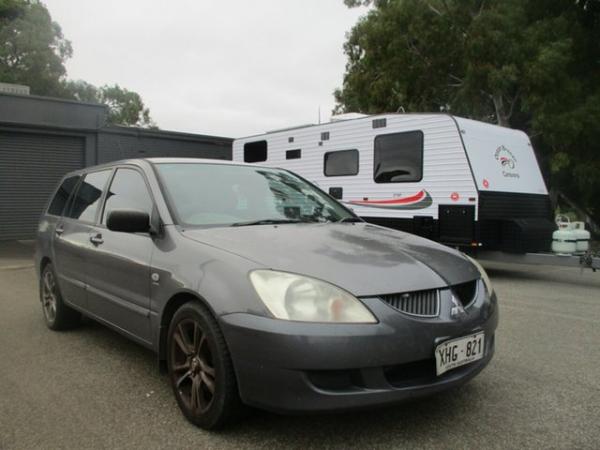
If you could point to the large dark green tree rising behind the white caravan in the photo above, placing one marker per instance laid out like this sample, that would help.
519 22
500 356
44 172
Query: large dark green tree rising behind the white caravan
527 64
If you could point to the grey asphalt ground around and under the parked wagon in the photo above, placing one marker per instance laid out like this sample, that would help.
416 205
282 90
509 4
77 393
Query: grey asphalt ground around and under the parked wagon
91 388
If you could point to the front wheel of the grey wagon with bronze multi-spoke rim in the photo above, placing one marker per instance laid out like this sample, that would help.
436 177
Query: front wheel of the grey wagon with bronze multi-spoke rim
200 368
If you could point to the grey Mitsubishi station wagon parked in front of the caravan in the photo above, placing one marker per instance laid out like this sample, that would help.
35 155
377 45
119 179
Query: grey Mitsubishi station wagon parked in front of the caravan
256 288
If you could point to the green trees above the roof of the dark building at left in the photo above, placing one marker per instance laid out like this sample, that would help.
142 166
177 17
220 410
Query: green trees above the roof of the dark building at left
33 52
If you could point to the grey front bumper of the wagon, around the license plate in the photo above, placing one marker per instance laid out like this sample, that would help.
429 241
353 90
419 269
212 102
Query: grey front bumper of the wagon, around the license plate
290 367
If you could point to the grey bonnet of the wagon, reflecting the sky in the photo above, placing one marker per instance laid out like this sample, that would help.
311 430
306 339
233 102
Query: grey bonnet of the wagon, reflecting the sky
364 259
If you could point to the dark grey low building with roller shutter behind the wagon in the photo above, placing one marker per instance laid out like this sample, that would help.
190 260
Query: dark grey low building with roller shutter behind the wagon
43 138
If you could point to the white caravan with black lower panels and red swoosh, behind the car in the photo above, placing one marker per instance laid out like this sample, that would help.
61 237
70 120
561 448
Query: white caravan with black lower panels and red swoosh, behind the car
454 180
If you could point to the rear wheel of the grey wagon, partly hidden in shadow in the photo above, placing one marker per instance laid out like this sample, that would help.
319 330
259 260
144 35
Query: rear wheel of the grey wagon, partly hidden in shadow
57 315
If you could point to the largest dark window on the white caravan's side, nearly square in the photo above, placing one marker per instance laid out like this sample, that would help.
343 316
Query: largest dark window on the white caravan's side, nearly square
398 157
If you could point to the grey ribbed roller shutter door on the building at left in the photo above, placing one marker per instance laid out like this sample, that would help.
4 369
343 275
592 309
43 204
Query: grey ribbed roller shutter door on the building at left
30 167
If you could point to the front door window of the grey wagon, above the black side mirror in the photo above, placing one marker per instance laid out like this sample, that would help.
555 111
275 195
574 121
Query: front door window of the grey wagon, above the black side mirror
127 191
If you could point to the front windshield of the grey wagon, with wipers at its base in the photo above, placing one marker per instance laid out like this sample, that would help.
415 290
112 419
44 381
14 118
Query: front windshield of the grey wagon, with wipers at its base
204 194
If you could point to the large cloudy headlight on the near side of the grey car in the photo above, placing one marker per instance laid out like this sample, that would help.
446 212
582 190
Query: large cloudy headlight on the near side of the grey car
296 297
